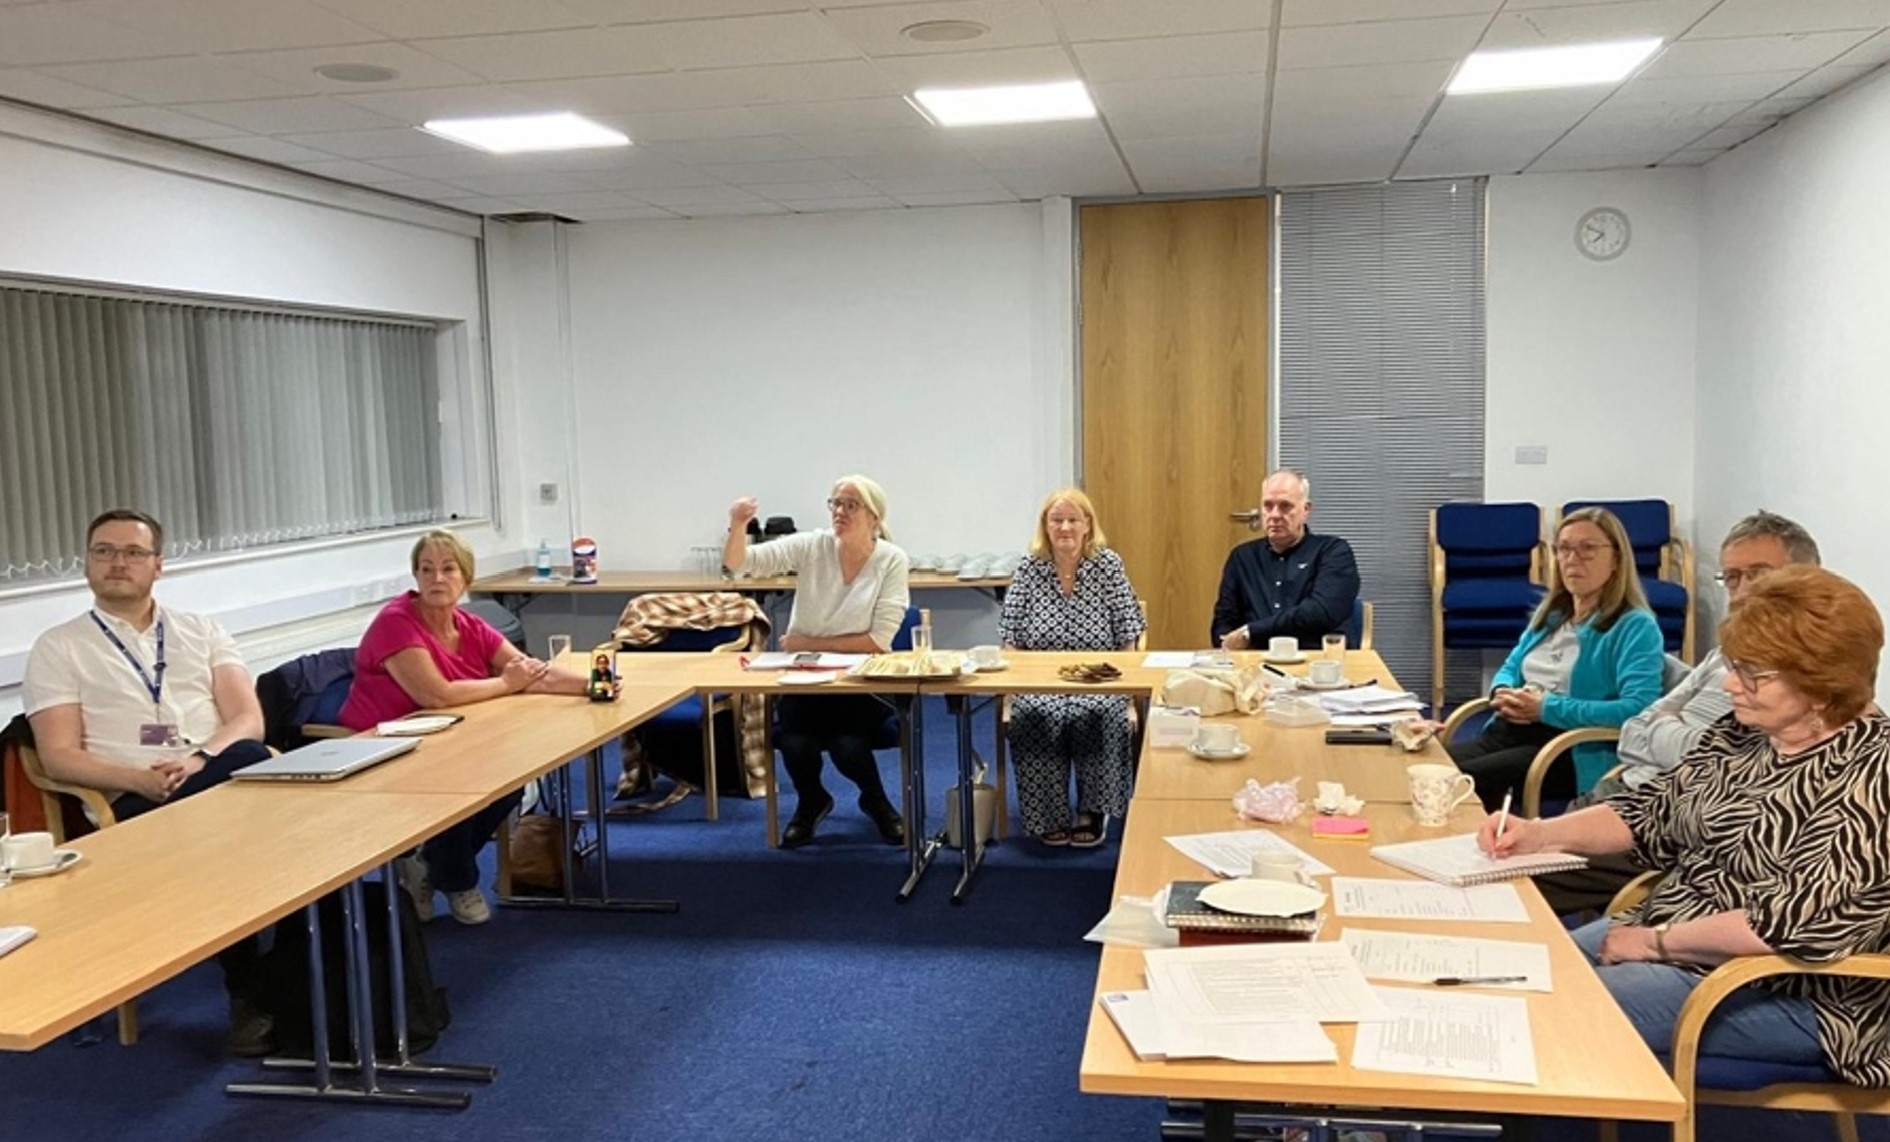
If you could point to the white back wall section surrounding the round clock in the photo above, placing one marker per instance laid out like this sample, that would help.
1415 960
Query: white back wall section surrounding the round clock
1592 360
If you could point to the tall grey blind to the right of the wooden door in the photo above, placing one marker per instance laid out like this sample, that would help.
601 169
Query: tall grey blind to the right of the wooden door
1383 383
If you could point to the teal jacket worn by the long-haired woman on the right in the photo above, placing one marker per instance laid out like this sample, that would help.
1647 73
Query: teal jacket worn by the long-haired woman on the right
1617 676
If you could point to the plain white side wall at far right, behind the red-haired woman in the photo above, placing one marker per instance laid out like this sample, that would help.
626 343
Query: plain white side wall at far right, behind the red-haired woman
1795 390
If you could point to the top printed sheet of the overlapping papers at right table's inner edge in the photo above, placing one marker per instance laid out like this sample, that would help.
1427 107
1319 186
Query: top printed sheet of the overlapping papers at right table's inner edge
1262 982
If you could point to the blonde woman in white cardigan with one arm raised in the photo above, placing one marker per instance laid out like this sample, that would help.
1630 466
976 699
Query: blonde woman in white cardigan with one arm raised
851 598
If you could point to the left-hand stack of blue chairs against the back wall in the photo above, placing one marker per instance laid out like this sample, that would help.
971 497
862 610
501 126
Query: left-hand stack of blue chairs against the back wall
1486 578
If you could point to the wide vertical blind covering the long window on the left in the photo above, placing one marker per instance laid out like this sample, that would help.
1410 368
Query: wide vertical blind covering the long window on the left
235 428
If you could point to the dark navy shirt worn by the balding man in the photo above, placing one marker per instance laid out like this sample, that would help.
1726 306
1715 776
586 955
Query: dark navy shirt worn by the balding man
1305 593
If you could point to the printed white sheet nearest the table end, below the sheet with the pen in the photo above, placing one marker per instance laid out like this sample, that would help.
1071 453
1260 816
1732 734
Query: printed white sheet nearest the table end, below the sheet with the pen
1451 1033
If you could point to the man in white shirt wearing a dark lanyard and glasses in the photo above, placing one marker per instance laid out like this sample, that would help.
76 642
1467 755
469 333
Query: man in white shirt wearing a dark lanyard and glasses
146 706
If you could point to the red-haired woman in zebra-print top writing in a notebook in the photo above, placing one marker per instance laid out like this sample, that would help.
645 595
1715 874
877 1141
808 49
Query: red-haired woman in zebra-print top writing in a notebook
1774 835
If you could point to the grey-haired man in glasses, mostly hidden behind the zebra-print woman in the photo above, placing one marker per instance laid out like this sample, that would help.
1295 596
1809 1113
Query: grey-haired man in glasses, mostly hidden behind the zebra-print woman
1655 740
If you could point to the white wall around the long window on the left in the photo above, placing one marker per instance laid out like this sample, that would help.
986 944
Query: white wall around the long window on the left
92 205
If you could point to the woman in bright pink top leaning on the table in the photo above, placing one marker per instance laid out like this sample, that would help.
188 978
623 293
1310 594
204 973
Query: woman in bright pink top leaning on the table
424 653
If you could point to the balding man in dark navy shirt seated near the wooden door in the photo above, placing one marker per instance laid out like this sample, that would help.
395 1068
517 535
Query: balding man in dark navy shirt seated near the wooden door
1292 583
